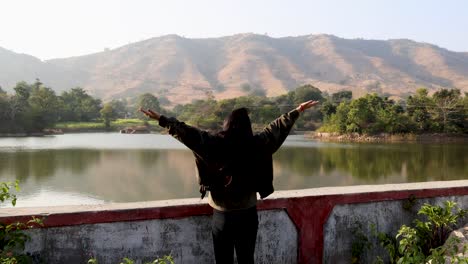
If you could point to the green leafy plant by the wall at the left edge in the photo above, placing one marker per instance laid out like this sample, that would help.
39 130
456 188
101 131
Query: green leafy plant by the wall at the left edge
12 236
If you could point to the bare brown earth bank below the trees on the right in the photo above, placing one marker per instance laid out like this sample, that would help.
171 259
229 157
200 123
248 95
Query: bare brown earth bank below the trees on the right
384 137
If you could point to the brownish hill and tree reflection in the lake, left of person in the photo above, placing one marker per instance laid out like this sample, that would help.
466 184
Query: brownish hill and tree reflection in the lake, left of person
112 175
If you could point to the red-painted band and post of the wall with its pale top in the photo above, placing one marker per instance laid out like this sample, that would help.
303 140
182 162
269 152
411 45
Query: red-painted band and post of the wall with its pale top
309 211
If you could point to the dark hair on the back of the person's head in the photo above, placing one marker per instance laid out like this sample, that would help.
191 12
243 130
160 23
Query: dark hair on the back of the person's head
237 125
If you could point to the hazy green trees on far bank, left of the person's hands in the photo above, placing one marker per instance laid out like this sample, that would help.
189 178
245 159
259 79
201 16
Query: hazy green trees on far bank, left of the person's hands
33 107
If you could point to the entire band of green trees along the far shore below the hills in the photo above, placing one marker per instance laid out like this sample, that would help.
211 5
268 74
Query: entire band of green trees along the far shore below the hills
34 107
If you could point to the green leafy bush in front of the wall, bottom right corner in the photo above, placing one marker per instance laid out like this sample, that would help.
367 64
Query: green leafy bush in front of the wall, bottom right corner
421 243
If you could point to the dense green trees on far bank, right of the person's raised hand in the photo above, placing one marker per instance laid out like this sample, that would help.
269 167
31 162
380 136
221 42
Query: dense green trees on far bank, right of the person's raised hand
445 111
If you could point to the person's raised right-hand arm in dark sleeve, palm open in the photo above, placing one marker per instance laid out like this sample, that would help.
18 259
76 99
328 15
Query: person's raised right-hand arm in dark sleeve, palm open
276 132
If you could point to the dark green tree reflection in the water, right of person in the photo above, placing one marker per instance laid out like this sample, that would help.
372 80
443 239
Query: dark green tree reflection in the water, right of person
369 164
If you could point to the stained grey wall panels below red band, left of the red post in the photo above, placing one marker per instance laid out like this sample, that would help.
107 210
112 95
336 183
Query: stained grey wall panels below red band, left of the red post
188 240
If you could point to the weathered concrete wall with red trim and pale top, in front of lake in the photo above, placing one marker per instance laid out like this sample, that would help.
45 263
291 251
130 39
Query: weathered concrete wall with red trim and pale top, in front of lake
147 230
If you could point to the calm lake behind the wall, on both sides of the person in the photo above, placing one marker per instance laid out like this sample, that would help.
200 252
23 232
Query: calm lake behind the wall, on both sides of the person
95 168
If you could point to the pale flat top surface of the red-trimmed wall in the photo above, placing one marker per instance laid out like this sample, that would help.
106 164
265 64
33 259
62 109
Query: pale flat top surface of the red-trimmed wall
180 204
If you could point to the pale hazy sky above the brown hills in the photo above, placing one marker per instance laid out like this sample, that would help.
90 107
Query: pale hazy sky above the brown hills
64 28
